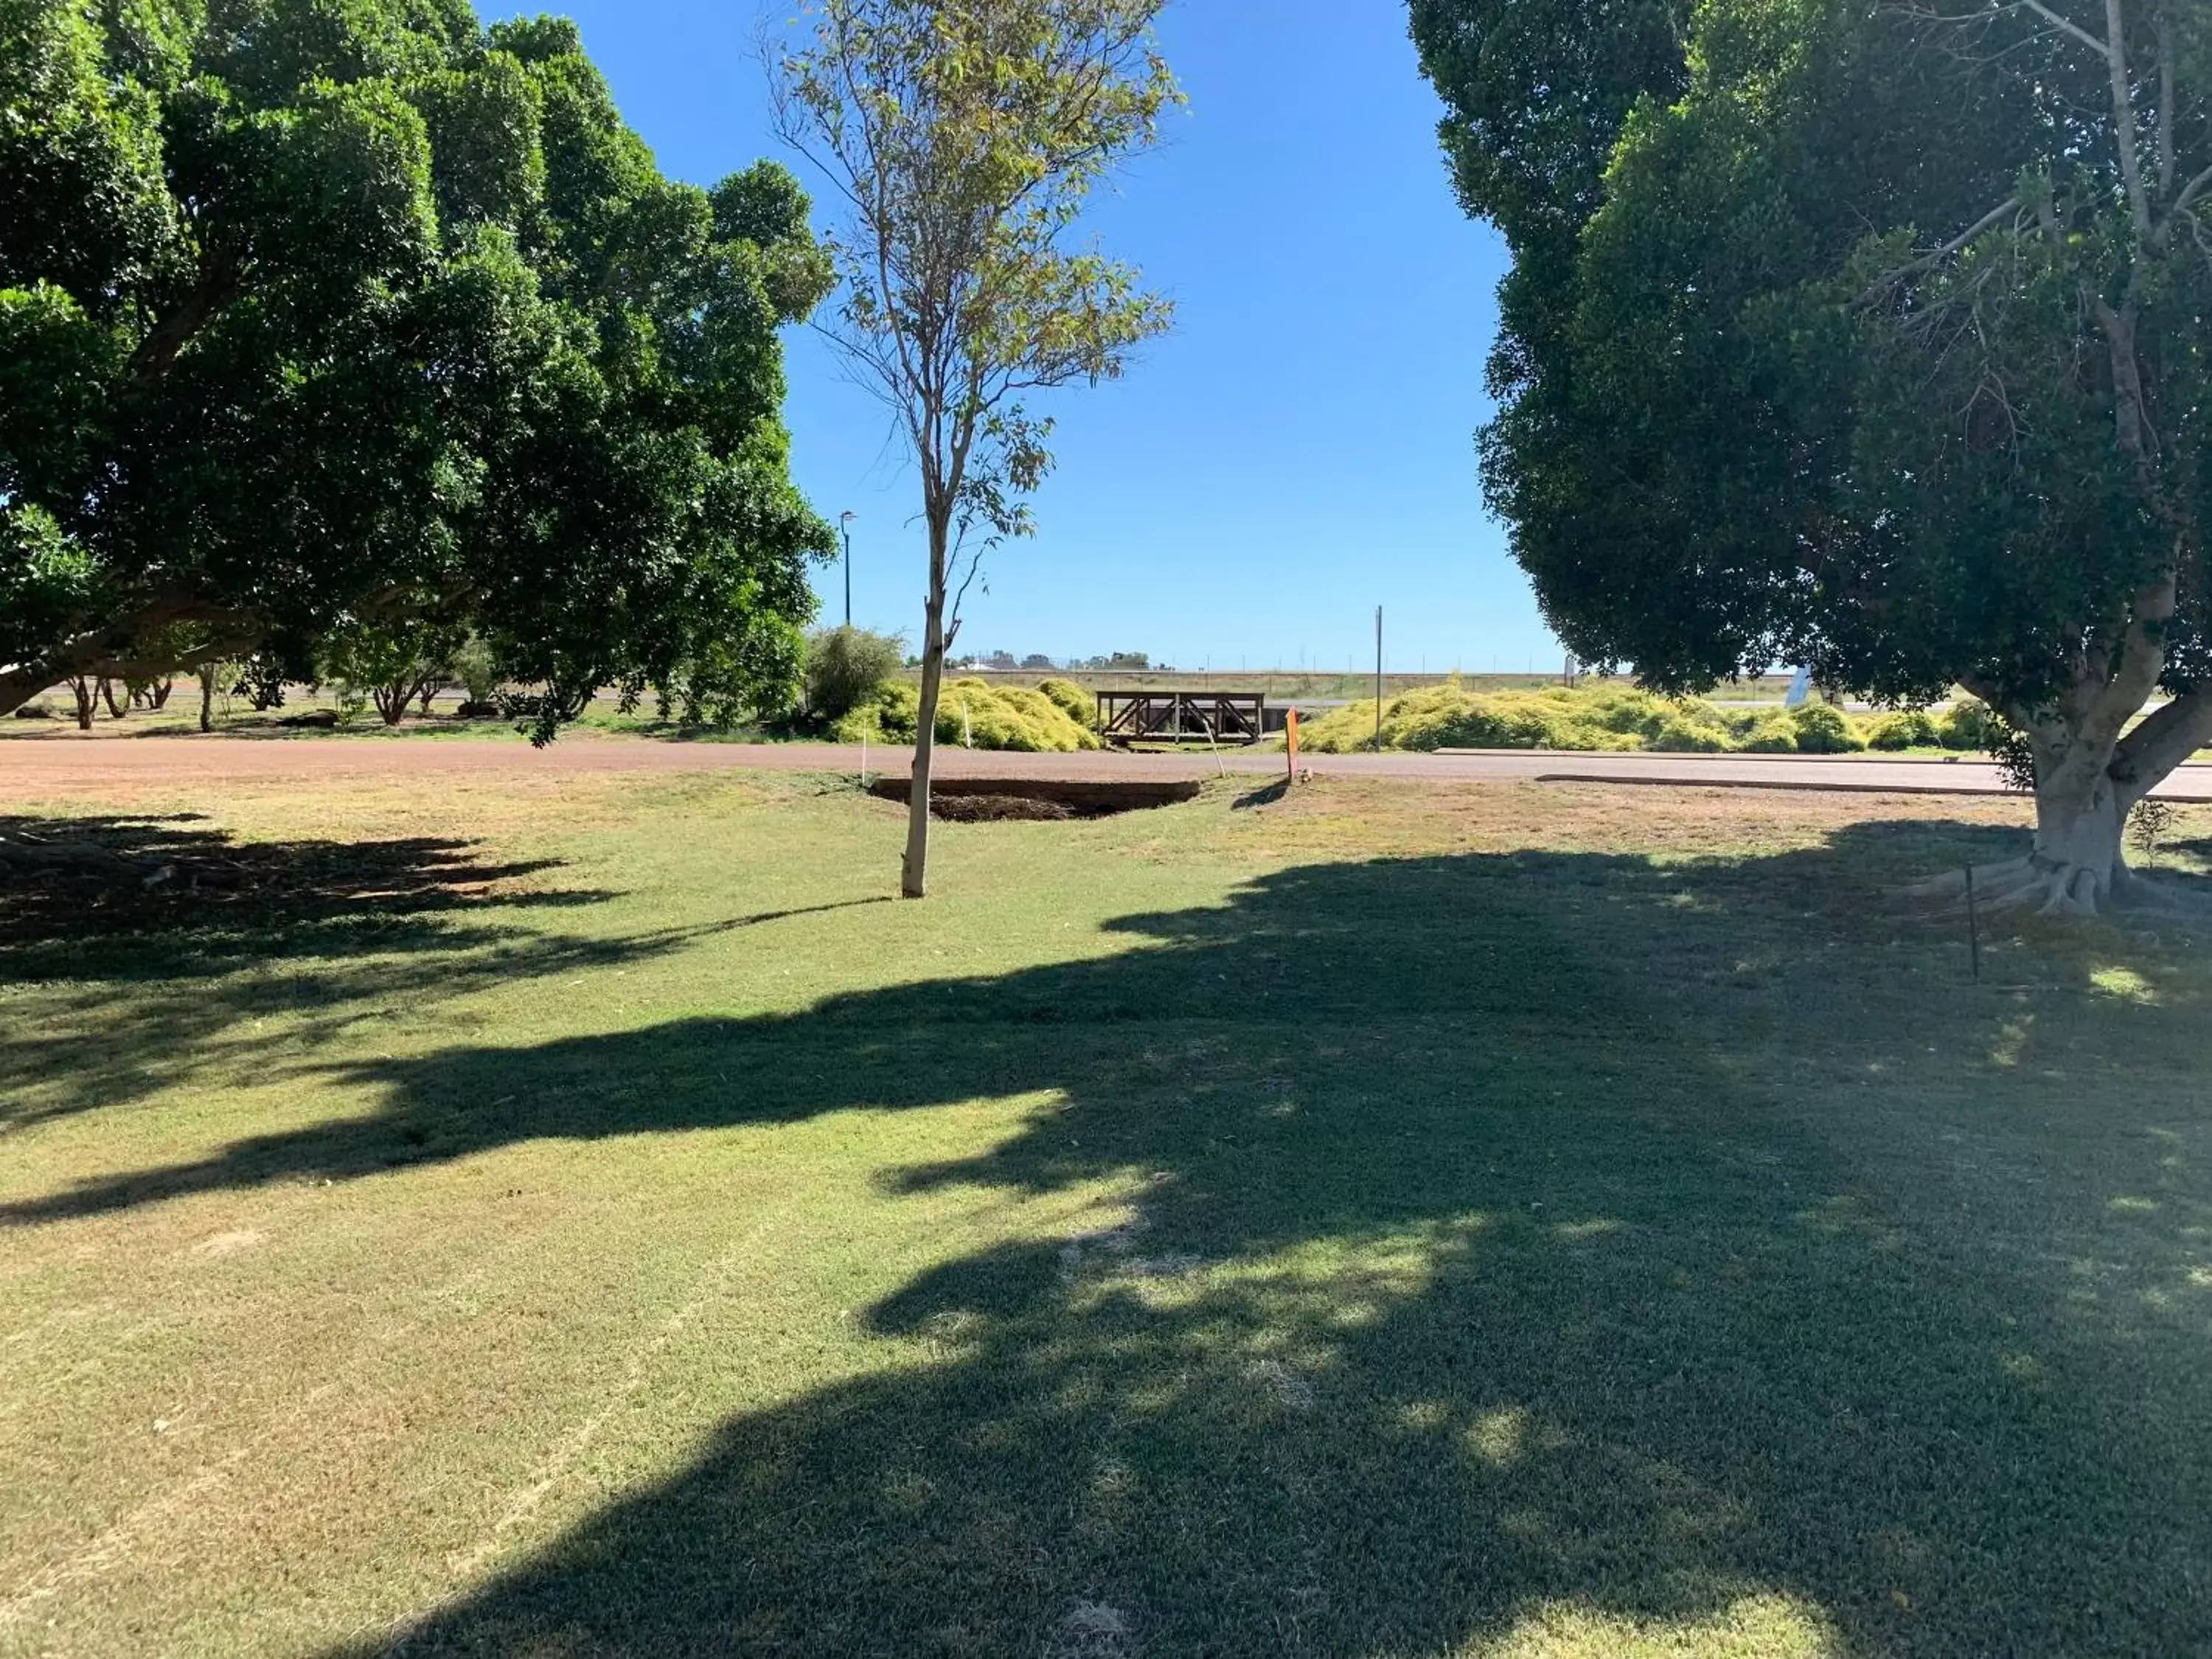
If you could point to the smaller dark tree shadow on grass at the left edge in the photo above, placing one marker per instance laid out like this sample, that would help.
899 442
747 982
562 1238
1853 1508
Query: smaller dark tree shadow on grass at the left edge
209 937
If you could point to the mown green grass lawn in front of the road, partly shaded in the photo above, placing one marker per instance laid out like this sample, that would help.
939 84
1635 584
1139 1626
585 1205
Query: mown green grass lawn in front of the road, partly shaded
585 1218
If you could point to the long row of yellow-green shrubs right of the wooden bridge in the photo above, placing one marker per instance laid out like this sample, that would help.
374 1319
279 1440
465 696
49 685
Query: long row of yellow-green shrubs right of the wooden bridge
1623 718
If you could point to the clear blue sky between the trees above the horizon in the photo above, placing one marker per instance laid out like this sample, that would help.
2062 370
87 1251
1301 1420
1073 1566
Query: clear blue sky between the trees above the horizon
1293 457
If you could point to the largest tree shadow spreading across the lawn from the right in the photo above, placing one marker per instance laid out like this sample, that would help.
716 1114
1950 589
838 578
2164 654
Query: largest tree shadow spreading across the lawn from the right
1516 1244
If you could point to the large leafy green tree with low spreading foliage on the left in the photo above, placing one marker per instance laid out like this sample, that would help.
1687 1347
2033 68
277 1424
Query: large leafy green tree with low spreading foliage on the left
337 315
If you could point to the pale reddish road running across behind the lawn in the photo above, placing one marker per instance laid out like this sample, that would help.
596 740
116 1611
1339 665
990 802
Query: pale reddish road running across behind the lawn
67 762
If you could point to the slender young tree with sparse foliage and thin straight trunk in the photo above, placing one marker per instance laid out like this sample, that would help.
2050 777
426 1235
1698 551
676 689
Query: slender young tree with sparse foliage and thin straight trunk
966 138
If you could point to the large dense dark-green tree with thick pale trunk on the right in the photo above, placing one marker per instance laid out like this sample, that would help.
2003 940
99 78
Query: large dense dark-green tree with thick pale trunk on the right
1870 337
